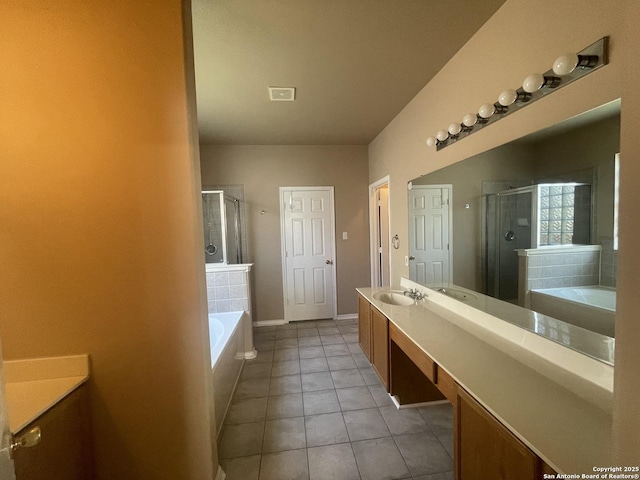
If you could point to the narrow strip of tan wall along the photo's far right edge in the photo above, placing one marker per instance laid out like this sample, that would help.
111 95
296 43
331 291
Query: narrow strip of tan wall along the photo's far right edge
627 385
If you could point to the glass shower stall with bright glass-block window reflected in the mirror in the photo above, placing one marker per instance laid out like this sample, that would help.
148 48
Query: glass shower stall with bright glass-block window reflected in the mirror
543 215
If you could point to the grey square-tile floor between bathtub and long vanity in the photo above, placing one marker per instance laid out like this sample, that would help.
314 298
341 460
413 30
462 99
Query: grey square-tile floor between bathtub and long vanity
311 407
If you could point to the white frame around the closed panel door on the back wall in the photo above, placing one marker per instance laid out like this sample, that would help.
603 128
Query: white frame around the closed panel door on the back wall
283 257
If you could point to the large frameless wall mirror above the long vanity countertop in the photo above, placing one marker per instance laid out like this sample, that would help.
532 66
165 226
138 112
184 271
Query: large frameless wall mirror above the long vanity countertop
531 223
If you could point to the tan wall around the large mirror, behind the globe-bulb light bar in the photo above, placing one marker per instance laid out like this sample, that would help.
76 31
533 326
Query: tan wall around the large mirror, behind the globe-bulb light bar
506 49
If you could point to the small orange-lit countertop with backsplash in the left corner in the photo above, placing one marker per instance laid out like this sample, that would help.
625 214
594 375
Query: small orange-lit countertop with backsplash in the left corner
33 386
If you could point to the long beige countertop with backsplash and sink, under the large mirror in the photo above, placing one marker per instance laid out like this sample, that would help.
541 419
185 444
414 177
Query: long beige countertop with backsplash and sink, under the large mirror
555 400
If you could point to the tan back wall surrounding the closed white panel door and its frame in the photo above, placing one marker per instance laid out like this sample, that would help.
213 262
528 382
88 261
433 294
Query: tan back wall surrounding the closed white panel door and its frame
262 170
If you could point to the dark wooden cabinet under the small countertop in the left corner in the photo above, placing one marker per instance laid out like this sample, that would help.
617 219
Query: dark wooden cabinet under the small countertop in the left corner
64 451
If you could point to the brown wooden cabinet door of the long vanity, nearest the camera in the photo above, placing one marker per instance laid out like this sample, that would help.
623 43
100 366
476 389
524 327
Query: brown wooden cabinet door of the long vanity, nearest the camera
486 449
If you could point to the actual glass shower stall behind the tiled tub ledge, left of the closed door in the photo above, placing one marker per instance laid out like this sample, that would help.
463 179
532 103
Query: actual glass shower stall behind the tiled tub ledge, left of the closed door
222 228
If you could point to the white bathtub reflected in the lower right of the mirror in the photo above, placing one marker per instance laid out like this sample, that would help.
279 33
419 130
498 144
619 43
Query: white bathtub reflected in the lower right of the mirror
592 307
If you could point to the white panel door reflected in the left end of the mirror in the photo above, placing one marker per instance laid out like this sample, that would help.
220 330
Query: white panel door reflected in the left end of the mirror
429 234
